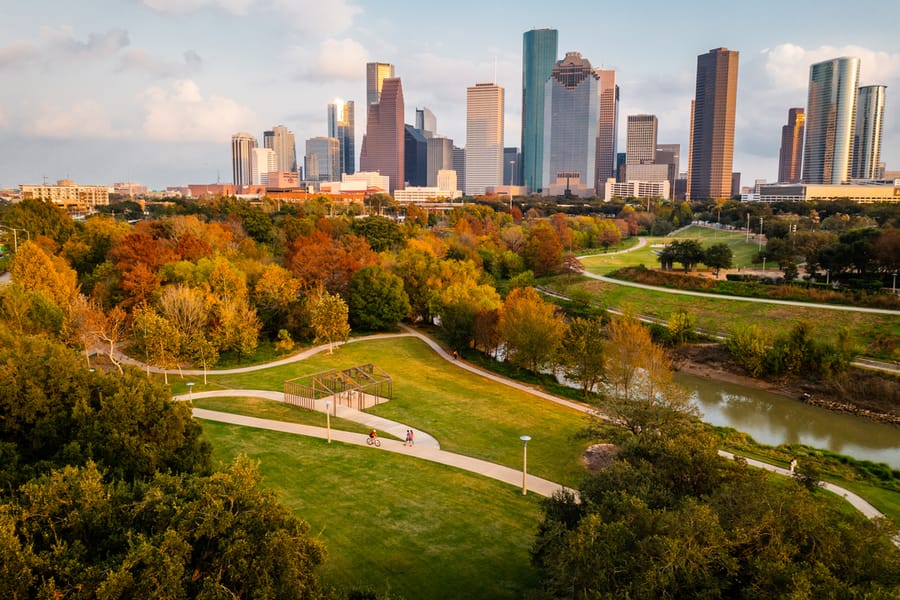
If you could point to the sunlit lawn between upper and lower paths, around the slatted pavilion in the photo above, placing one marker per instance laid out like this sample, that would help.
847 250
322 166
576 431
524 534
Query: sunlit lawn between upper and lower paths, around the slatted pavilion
467 414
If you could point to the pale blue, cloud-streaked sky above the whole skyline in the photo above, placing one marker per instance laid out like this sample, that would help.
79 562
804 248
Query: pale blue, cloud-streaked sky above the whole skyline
151 91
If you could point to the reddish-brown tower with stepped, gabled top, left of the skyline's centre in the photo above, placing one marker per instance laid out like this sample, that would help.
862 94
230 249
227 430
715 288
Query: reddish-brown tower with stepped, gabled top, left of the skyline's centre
382 149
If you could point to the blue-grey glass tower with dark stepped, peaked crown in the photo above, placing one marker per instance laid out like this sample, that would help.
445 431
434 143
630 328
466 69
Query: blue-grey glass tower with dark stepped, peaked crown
572 122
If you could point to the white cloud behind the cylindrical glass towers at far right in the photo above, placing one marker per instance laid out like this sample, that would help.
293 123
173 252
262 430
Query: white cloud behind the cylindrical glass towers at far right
788 65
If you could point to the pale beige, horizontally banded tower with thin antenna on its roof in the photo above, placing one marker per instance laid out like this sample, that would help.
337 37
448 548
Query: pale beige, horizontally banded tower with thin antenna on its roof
484 137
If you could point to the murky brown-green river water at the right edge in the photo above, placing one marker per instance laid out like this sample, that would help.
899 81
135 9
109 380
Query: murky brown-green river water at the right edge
773 419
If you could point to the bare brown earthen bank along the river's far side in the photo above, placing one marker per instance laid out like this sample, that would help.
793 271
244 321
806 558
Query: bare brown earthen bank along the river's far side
865 394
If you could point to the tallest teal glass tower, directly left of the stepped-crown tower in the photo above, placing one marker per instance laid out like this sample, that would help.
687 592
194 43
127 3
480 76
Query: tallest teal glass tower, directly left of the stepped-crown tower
539 50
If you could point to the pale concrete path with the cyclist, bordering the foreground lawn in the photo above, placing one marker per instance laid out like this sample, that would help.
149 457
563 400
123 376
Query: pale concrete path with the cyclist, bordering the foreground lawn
537 485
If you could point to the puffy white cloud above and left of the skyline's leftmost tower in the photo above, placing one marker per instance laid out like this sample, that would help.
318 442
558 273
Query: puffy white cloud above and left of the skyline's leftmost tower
183 114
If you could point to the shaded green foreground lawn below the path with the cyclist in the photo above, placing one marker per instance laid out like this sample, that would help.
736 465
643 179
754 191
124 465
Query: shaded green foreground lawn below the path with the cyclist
391 522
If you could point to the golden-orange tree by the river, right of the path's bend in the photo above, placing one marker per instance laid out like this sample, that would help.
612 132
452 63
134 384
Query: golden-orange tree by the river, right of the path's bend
531 330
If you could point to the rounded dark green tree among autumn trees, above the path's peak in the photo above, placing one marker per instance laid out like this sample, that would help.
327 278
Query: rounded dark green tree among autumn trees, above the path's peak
376 299
